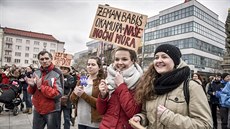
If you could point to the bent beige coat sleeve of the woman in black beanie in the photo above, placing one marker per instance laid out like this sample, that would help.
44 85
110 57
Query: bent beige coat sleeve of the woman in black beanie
199 114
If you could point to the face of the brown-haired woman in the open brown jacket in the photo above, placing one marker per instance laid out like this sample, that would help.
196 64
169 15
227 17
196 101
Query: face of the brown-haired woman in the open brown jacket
92 67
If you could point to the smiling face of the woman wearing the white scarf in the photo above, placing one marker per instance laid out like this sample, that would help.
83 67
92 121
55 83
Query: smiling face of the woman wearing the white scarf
122 60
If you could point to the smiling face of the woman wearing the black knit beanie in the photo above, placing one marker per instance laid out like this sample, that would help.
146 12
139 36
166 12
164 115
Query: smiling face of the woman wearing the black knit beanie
163 63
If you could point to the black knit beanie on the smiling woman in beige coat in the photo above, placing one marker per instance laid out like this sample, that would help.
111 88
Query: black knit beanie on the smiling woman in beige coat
172 51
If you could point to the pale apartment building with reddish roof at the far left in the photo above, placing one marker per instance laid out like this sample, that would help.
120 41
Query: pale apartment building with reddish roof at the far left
21 47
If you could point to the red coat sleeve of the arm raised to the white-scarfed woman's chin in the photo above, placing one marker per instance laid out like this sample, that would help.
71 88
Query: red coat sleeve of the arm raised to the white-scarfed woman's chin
127 101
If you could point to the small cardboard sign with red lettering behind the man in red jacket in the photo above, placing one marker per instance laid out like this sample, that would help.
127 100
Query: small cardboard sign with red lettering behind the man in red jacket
62 59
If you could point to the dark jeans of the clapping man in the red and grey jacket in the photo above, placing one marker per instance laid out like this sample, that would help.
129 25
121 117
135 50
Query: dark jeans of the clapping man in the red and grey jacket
52 120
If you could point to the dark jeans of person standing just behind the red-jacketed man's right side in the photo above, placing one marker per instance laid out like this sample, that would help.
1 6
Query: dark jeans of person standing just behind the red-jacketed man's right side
66 115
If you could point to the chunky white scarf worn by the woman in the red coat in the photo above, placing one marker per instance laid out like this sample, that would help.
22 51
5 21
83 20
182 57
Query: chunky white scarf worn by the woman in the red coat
130 76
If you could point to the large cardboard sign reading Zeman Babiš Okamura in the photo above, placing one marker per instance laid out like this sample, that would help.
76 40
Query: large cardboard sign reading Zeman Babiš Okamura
120 27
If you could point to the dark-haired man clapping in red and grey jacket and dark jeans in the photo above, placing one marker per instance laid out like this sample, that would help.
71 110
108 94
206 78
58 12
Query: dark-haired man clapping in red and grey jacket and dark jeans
46 86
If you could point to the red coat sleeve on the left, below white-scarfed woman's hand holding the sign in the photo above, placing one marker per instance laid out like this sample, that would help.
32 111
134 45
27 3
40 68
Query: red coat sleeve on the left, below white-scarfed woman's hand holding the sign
101 104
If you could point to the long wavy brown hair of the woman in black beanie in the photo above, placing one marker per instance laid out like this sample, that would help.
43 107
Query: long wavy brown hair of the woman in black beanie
144 89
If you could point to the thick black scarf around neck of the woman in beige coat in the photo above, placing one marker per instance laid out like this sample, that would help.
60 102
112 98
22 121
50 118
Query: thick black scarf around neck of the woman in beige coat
170 81
